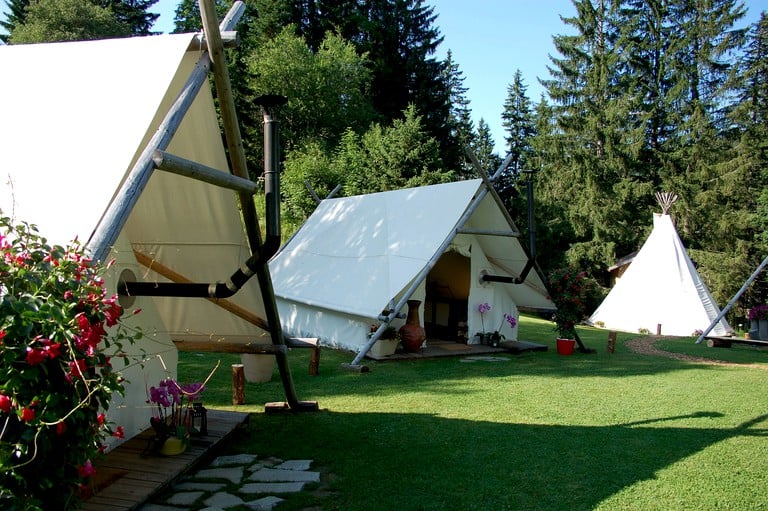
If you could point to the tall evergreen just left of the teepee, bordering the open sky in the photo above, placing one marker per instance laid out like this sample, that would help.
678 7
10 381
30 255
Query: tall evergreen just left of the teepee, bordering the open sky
595 173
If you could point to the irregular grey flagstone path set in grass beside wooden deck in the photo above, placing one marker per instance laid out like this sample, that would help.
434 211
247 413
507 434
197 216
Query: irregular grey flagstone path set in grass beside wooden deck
241 481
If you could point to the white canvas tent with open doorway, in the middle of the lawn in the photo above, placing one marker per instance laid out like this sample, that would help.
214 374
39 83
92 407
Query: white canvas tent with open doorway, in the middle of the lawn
356 257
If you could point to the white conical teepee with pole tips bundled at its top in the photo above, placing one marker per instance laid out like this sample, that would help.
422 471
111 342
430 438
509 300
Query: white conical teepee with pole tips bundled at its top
661 291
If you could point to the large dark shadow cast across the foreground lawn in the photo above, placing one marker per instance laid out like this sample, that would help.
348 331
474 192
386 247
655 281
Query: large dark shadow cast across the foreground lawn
425 462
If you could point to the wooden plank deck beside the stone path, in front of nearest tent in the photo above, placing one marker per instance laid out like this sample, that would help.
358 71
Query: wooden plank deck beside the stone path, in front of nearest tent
128 477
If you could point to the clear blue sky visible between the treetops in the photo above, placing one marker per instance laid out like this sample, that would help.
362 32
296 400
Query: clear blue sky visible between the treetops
490 40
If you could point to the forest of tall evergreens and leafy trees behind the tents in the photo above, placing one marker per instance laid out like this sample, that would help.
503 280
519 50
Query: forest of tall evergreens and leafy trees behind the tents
643 96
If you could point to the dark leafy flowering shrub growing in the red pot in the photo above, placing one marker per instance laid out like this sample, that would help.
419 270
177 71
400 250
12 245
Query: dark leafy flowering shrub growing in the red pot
568 288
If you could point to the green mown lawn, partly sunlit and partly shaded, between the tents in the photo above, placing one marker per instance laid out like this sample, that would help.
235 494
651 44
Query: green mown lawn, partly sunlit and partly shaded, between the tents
535 431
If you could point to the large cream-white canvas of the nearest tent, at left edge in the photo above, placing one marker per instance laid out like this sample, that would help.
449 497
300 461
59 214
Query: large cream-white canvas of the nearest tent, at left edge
76 117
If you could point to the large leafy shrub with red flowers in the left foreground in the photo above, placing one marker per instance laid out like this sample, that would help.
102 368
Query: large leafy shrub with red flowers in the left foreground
56 380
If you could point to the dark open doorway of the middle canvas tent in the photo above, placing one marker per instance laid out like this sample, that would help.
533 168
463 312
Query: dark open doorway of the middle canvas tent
447 297
